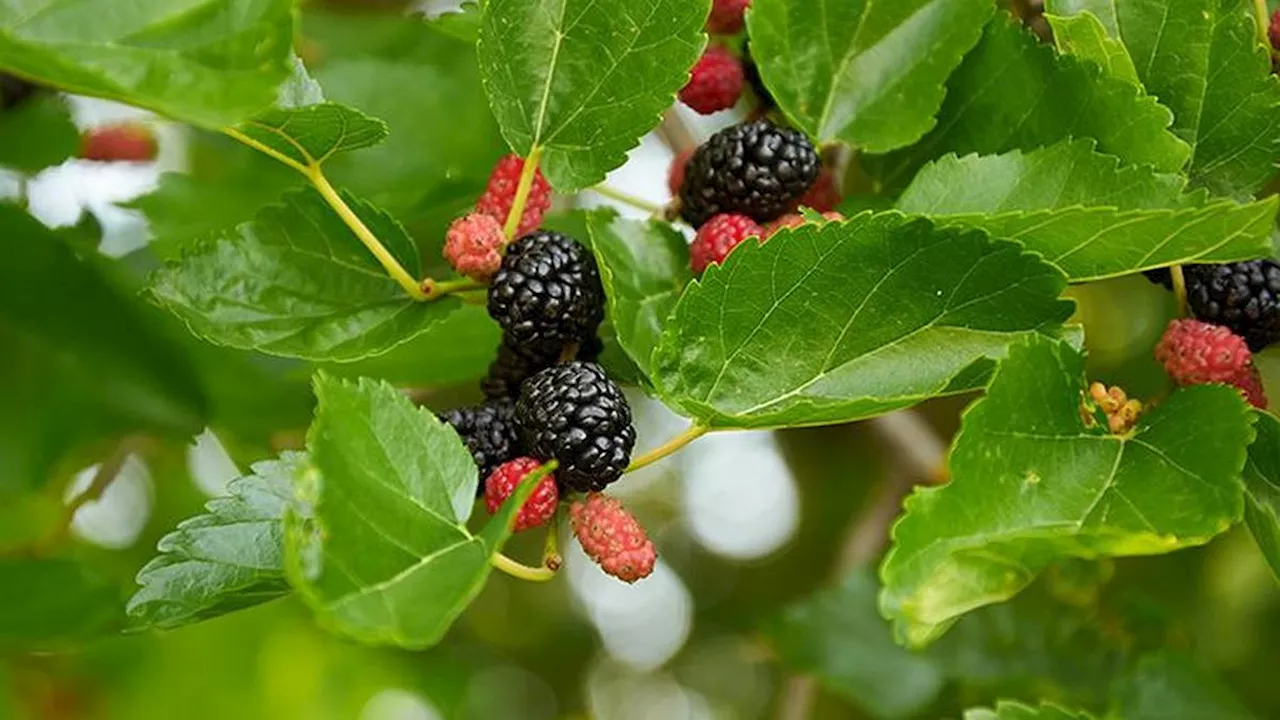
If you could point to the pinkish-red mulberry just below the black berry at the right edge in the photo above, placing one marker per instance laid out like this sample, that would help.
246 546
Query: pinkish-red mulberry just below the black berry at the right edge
1196 353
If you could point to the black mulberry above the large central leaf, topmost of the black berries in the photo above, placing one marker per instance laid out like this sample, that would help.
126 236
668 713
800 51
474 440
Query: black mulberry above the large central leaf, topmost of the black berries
755 170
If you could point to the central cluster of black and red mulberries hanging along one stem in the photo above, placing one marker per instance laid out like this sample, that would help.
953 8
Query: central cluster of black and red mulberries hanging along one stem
546 397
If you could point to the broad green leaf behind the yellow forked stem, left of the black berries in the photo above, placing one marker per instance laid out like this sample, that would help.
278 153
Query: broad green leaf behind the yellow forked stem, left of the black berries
298 282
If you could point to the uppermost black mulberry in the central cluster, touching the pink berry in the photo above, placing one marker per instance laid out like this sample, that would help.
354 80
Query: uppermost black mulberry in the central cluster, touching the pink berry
547 293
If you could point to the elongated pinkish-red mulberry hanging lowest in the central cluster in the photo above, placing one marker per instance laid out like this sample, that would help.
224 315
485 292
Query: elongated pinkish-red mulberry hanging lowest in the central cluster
612 537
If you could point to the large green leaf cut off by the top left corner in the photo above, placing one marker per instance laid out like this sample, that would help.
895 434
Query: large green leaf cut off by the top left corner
211 63
